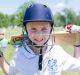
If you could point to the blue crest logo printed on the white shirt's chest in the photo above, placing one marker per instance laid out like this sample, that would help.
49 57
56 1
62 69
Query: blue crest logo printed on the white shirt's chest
52 65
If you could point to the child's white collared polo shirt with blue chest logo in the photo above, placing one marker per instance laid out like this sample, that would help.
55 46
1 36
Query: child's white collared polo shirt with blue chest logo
54 62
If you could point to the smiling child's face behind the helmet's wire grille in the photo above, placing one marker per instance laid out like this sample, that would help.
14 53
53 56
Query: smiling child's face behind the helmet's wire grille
38 32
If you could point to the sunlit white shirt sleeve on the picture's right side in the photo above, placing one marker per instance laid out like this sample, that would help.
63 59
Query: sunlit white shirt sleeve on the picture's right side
71 63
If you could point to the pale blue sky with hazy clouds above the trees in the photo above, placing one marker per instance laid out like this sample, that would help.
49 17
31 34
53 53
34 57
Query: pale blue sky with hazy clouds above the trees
11 6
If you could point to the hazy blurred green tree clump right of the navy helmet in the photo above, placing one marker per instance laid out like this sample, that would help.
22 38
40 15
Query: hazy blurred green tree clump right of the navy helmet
69 17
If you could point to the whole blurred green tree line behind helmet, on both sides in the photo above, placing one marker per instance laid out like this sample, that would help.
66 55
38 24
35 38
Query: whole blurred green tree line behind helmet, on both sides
68 16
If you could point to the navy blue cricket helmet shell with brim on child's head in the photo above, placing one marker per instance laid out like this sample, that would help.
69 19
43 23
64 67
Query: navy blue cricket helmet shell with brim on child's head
38 13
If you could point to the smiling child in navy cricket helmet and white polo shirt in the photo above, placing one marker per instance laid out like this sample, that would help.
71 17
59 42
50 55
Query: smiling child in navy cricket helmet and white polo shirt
38 55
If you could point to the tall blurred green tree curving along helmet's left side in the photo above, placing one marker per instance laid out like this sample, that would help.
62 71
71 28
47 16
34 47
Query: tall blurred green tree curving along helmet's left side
20 12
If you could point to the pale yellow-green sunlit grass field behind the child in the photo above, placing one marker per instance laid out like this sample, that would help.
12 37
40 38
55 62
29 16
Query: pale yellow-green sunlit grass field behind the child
10 51
